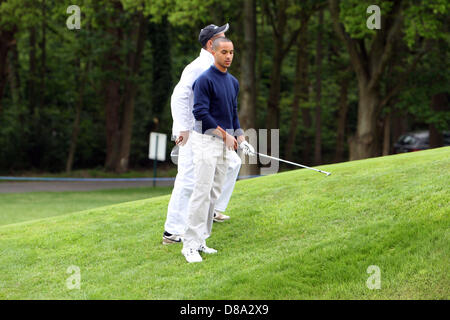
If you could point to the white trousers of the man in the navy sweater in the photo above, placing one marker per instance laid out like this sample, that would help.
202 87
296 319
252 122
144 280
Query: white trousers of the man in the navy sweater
211 162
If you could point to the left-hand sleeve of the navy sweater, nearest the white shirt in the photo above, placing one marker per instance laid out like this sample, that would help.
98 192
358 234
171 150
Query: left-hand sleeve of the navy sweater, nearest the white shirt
202 101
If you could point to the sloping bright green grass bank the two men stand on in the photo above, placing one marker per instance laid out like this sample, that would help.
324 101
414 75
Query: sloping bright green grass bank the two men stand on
295 235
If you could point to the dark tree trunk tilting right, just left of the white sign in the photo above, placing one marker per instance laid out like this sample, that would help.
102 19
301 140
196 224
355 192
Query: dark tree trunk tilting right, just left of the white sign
130 93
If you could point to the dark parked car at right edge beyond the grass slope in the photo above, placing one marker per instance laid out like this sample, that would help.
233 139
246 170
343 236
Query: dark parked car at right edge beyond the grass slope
416 141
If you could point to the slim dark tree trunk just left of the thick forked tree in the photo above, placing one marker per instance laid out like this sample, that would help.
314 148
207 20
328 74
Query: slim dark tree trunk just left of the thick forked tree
342 120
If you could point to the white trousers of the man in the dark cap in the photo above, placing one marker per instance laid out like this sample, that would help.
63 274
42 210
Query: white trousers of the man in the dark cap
176 221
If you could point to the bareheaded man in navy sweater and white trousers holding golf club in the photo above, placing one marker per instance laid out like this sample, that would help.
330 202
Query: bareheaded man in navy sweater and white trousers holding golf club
213 141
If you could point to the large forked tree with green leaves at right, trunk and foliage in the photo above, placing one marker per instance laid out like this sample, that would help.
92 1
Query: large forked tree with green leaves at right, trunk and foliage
371 50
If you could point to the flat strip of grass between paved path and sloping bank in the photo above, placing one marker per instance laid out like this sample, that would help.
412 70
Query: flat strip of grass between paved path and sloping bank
19 207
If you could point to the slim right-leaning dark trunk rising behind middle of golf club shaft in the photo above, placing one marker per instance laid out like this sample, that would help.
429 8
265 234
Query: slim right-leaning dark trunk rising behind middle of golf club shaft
300 84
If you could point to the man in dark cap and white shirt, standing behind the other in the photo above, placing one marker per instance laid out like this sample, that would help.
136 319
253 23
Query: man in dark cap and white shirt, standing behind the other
182 102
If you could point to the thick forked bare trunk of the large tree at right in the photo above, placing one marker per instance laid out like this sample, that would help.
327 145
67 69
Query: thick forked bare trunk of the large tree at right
369 65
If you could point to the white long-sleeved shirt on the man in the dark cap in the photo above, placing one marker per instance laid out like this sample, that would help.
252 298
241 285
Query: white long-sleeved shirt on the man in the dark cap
182 101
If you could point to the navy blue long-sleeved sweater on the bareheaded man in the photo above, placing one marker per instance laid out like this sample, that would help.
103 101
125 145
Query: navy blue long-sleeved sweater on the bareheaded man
215 101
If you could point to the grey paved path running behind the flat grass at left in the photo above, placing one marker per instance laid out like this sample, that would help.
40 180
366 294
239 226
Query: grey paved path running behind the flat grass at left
19 187
